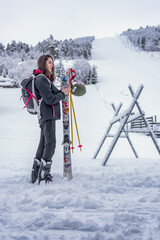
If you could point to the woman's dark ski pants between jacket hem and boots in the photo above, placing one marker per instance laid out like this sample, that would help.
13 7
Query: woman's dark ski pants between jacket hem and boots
47 143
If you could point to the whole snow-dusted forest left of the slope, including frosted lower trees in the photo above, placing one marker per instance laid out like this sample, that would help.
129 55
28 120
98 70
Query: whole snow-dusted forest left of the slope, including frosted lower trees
17 60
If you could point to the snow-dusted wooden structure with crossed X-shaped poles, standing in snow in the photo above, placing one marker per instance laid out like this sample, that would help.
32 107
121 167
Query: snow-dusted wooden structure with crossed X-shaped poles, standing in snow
124 118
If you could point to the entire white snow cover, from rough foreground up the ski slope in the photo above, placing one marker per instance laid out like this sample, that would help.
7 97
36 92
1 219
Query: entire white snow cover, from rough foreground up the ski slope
120 201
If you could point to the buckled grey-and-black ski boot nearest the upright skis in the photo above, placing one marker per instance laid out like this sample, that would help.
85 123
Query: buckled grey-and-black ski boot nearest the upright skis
44 171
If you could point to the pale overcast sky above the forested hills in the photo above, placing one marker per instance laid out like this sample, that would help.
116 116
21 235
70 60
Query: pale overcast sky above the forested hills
32 21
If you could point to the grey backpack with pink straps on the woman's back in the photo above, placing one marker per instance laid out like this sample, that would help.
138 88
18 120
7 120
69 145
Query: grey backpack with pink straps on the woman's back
28 94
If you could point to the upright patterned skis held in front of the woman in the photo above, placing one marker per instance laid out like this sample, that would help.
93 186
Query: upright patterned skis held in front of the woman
67 165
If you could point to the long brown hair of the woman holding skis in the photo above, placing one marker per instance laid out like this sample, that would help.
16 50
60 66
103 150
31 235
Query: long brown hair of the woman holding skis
42 66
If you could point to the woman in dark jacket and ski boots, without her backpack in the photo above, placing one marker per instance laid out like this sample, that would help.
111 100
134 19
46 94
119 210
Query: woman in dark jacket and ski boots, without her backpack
49 111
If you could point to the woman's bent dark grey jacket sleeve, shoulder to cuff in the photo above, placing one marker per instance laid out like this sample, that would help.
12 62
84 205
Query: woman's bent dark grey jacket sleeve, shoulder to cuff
46 93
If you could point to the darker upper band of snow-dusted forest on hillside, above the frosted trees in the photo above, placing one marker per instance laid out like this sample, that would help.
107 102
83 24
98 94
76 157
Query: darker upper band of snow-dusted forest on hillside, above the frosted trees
67 49
